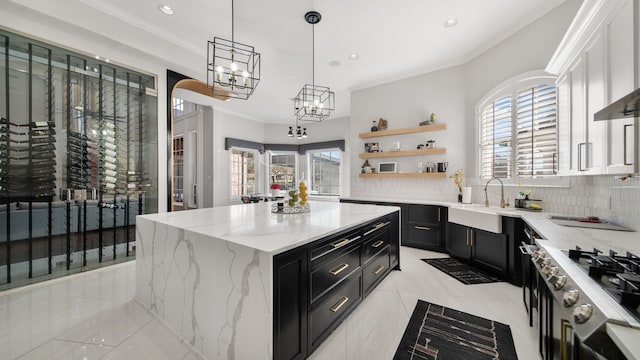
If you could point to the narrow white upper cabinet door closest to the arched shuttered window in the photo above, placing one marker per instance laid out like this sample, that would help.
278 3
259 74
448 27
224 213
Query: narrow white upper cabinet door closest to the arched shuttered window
563 157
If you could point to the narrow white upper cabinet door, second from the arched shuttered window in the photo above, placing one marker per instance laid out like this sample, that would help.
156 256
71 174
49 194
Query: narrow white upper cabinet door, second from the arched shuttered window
578 123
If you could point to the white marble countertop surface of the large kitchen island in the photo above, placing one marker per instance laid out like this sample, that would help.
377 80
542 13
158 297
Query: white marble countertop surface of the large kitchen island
255 226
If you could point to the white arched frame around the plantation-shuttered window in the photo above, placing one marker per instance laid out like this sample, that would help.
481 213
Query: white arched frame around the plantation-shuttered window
512 87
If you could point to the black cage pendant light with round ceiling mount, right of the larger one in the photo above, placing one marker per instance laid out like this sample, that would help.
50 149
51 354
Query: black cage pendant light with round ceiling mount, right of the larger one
313 102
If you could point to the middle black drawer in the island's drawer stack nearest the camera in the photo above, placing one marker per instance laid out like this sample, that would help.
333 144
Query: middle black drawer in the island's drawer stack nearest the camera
328 274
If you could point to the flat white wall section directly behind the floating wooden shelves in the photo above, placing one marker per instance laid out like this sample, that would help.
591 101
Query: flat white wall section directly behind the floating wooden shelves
405 103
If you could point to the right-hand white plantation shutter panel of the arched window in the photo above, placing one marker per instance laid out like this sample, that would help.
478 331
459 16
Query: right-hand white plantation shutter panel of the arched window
536 131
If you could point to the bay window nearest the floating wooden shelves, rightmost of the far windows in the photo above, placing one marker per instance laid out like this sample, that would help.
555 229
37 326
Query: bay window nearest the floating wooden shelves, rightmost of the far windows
324 166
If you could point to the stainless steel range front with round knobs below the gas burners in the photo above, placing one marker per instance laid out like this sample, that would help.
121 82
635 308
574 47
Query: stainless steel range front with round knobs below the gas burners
570 317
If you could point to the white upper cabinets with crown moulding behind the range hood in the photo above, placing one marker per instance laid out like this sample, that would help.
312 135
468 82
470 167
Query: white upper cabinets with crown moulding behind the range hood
596 65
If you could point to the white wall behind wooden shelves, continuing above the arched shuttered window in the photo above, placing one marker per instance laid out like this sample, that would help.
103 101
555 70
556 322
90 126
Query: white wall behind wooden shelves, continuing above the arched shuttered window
452 94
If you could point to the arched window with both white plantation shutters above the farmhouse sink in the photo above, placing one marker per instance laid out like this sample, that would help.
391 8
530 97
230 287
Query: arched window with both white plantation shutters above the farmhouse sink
518 135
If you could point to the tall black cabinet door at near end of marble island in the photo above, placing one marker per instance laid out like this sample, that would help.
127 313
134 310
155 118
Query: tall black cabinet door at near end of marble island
290 304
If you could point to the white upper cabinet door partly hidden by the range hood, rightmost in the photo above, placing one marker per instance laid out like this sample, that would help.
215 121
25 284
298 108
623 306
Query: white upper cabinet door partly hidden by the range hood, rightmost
620 37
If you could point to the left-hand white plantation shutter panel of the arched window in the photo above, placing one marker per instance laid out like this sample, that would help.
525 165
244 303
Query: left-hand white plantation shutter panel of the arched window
496 139
